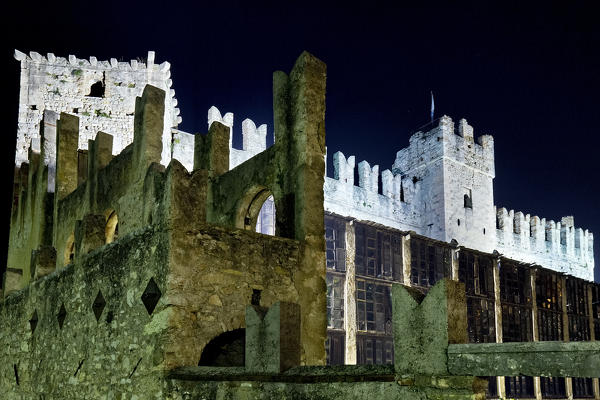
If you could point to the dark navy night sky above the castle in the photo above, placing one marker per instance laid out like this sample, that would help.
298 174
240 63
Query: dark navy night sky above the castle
528 76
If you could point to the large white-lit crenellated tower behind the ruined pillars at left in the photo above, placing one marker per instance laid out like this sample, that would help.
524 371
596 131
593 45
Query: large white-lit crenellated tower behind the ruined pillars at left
101 93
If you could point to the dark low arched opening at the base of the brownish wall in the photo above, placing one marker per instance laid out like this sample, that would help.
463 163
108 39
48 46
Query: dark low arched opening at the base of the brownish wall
226 350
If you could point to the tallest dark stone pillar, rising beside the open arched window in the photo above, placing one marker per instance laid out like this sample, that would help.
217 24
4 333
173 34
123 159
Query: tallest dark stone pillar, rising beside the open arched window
299 119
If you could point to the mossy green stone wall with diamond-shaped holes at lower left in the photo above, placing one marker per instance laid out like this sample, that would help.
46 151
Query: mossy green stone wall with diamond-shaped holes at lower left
117 356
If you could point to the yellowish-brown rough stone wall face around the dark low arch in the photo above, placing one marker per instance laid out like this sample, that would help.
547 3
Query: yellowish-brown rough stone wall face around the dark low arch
214 273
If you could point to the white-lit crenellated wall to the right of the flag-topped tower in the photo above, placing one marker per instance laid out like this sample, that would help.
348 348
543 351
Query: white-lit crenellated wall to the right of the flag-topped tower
555 244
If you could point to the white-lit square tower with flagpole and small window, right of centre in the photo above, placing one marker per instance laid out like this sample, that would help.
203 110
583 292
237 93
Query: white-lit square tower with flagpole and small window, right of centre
449 177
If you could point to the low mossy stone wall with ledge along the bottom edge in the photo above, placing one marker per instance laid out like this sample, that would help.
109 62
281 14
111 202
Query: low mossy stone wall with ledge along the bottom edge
342 383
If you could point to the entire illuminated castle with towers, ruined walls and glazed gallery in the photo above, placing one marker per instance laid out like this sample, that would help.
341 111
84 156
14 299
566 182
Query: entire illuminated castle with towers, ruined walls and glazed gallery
113 204
